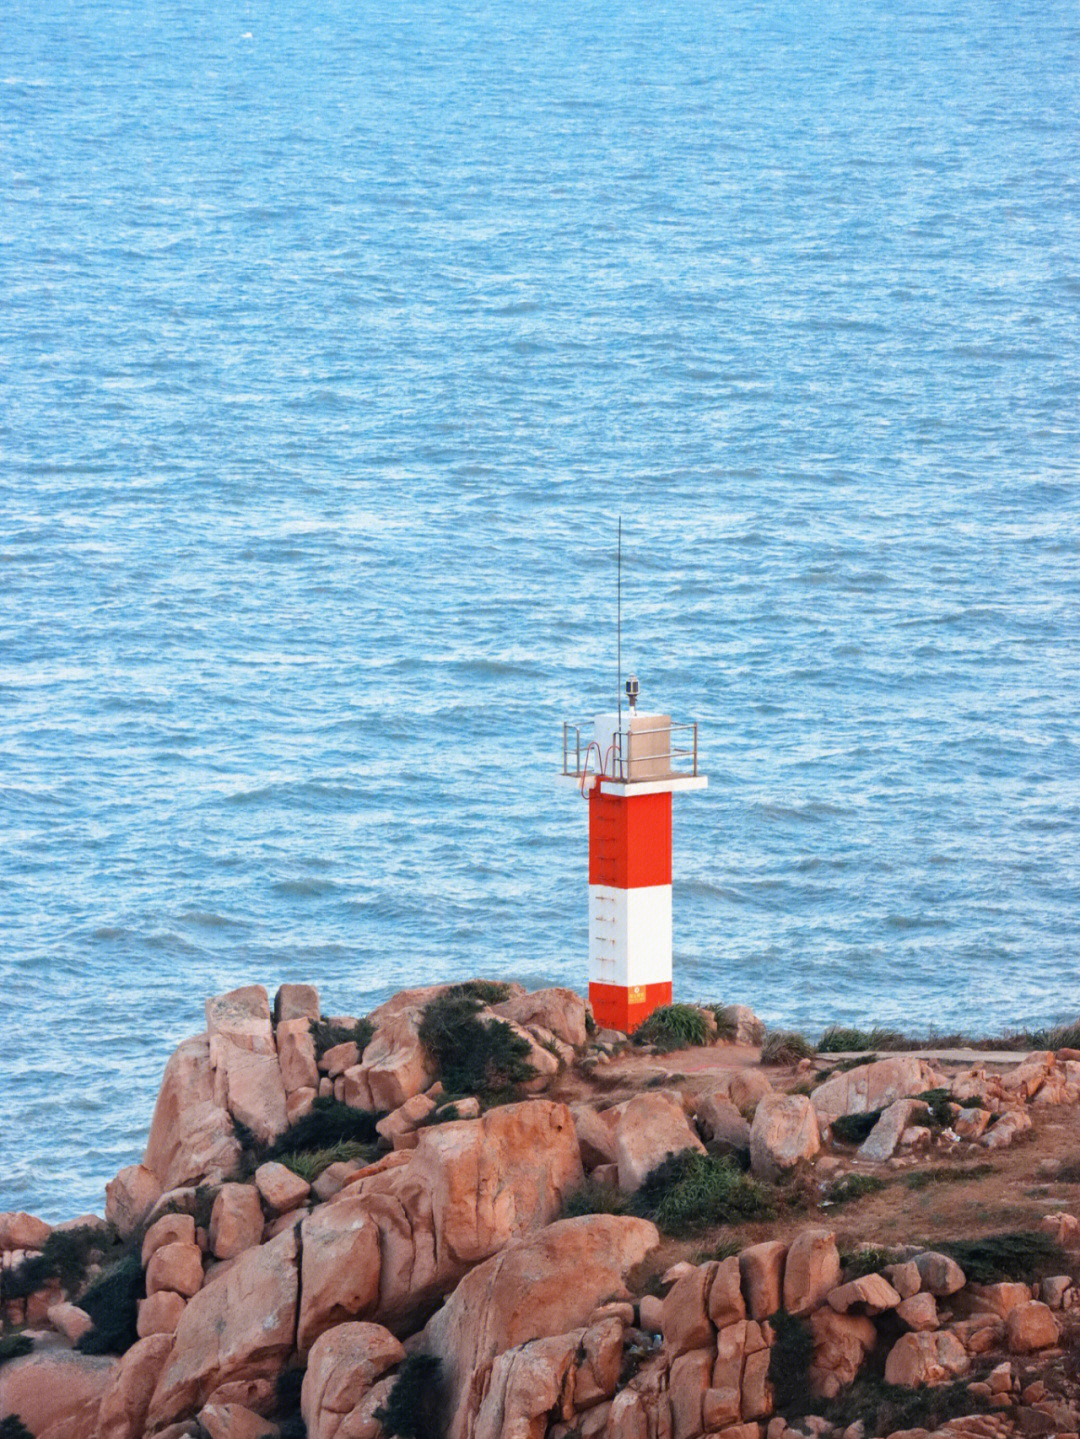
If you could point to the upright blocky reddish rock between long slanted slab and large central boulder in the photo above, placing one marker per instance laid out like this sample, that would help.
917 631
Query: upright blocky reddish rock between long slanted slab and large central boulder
340 1268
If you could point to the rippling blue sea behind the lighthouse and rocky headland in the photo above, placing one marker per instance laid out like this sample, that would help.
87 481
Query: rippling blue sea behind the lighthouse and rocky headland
334 339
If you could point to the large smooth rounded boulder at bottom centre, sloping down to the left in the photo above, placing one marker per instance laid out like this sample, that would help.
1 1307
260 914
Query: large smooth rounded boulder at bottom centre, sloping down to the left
544 1286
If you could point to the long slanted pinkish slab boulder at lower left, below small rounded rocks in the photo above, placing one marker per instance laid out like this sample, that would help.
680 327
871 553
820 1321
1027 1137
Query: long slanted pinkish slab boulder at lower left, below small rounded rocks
242 1326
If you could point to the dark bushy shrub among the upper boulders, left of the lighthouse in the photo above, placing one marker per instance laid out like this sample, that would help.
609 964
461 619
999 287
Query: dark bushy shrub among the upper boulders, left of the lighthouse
487 1060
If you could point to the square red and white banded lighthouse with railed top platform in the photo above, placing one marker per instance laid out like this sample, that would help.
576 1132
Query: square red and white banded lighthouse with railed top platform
629 766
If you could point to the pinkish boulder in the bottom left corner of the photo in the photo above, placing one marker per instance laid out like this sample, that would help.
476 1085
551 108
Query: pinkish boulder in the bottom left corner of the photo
57 1394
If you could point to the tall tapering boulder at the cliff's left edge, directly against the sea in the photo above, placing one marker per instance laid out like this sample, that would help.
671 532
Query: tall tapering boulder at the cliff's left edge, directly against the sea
192 1138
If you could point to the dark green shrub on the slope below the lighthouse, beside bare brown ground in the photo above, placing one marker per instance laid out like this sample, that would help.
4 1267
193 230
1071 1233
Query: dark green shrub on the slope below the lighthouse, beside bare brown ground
691 1191
